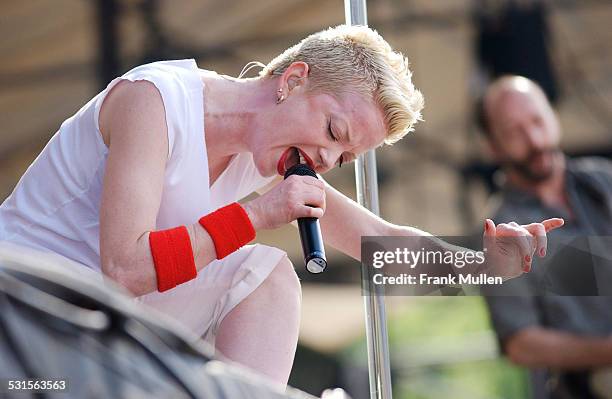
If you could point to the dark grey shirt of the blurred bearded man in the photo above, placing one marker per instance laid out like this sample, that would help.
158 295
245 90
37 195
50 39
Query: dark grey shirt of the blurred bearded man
579 262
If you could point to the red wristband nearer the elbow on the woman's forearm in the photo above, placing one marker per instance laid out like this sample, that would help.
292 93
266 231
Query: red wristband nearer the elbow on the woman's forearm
173 257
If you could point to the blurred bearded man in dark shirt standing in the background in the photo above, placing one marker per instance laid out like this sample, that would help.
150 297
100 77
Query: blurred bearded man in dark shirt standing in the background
565 340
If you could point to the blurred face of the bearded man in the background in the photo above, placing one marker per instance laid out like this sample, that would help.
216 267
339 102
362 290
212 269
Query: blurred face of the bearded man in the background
525 133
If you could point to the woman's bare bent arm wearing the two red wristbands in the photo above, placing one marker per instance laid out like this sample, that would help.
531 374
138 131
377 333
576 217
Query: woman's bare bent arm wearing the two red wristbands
132 120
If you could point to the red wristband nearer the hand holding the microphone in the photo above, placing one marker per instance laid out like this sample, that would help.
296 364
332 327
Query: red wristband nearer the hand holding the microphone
229 227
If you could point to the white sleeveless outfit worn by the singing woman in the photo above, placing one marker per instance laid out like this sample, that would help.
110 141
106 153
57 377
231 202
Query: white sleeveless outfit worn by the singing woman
55 205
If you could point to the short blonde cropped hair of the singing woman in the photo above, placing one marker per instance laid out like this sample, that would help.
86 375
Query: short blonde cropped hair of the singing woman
356 59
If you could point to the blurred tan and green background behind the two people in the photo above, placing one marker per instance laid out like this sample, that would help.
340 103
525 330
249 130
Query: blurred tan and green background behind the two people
57 54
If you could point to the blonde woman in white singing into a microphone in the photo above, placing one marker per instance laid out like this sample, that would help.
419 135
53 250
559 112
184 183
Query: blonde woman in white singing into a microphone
142 183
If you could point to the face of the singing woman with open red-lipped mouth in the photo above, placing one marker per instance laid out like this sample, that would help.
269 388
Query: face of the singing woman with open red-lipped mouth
319 130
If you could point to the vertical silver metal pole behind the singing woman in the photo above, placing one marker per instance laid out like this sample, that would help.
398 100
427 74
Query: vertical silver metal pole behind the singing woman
374 301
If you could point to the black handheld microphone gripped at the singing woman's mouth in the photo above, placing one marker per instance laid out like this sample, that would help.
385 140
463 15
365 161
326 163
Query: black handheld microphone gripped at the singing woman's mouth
310 229
